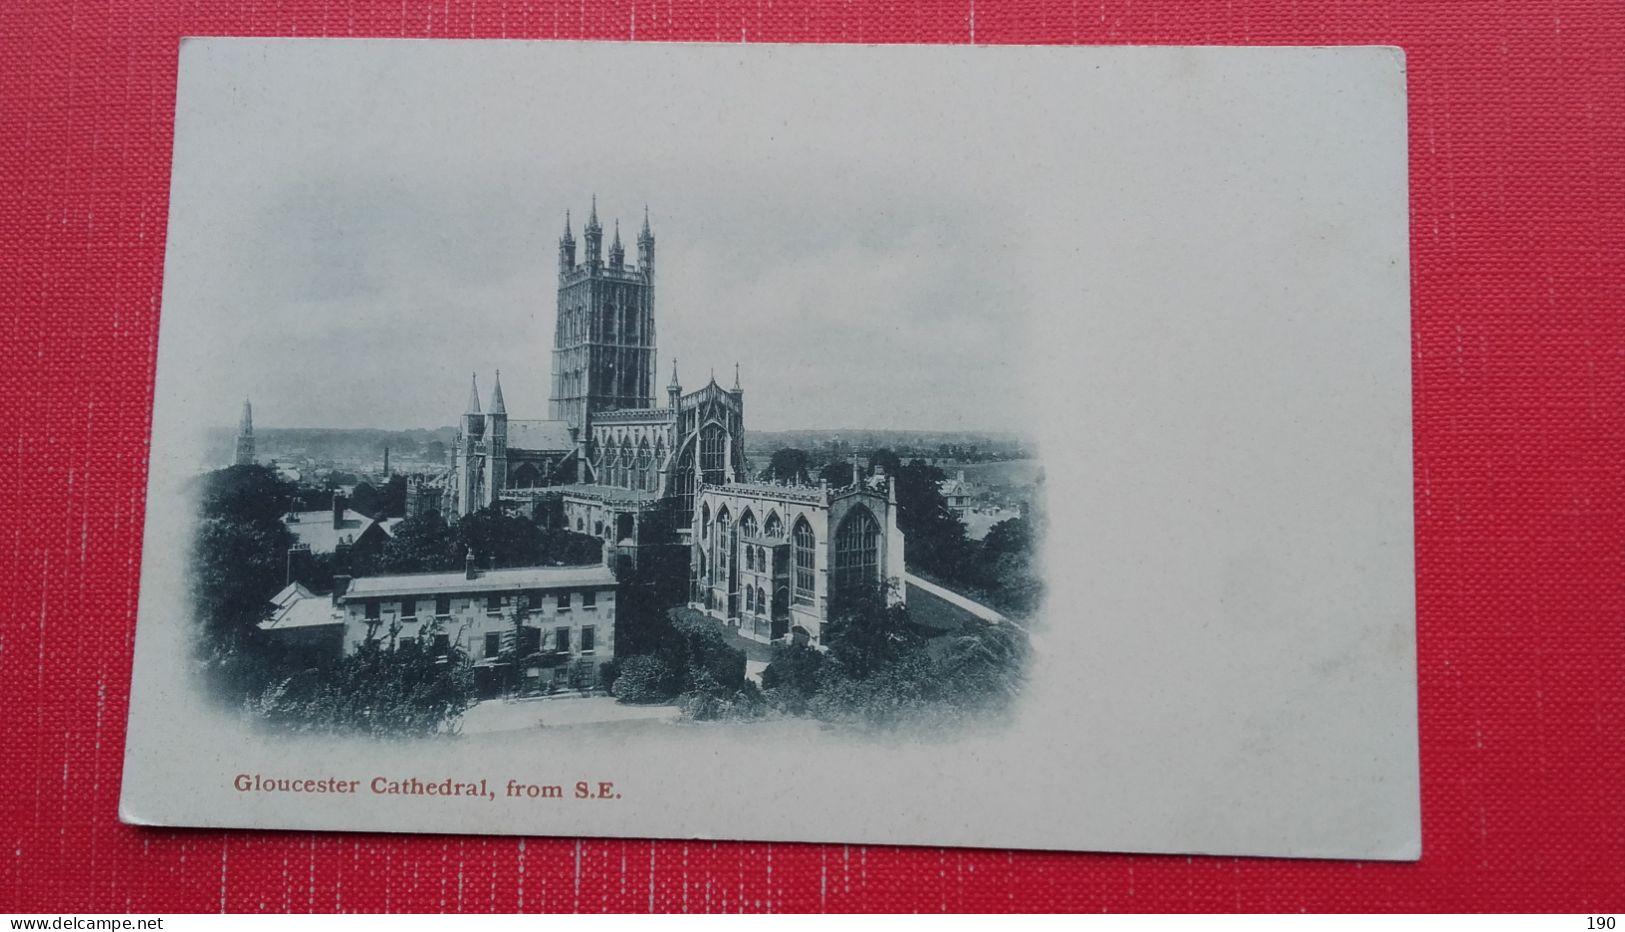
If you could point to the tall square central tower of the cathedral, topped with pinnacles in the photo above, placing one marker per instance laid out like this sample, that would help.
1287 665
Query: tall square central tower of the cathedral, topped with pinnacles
604 345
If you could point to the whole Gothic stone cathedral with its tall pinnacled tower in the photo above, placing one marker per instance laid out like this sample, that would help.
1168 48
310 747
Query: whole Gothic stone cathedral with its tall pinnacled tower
765 558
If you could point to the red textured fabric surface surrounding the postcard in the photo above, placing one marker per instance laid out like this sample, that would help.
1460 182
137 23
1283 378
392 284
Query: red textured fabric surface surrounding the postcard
1519 243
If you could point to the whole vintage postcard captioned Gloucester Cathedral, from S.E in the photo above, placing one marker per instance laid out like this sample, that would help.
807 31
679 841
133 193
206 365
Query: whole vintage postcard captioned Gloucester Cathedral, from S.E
908 446
